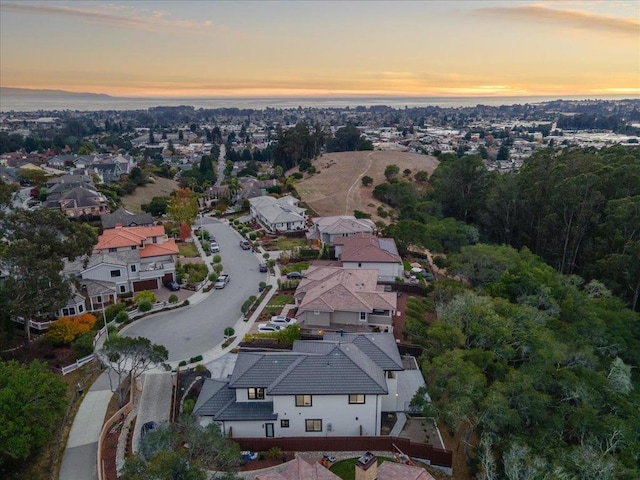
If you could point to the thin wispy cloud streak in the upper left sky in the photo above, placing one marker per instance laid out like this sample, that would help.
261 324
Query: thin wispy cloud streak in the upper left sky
110 15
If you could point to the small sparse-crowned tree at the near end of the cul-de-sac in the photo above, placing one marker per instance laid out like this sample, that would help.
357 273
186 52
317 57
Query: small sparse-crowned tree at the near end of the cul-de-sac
130 356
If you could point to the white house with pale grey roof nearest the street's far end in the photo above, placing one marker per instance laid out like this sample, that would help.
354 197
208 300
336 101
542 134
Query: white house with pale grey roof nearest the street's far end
278 214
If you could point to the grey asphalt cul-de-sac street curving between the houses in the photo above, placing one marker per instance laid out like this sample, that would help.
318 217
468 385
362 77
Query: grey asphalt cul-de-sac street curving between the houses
192 330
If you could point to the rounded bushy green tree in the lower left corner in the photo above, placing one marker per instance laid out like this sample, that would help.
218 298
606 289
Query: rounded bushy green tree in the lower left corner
32 401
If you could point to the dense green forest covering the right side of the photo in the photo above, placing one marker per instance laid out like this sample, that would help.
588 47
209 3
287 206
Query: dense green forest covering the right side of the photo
533 359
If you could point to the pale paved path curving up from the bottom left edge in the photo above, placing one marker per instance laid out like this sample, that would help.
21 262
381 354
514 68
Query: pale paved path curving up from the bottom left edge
79 460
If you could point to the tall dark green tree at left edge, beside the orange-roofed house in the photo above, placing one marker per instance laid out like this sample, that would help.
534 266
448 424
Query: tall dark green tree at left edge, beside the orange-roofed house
37 243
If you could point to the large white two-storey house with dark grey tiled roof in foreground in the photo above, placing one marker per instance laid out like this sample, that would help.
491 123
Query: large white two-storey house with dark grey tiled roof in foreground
338 386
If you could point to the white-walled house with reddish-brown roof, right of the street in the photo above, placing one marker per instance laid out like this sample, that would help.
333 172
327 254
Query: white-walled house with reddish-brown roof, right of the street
364 250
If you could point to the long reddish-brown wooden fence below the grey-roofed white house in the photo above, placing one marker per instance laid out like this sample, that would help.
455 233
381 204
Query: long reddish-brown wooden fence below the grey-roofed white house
436 456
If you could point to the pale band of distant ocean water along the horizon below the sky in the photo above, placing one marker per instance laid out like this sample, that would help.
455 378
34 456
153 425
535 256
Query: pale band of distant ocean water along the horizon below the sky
23 103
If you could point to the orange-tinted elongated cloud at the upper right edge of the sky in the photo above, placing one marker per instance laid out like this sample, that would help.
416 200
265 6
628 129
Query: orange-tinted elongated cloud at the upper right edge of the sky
569 18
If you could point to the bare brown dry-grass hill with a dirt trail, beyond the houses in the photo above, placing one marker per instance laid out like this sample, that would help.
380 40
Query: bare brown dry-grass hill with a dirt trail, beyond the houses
336 188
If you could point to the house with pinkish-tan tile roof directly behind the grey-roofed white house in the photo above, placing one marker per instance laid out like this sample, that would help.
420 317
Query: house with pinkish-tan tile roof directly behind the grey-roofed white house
340 297
